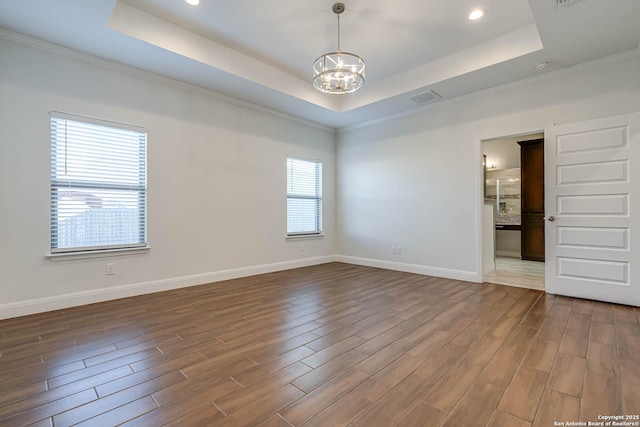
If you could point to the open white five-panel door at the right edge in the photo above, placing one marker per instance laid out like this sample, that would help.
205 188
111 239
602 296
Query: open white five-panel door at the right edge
592 209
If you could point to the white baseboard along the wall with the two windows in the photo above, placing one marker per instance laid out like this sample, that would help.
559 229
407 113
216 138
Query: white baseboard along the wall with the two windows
39 305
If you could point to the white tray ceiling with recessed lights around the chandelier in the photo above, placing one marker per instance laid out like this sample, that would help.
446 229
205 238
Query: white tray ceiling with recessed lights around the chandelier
262 51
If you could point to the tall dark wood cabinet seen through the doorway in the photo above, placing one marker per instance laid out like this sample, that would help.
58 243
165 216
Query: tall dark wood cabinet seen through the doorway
532 199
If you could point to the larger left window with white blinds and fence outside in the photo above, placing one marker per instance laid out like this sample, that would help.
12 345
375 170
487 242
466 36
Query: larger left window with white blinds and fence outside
98 185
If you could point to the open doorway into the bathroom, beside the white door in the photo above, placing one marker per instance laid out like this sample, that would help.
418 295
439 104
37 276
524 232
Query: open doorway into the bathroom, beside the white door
503 191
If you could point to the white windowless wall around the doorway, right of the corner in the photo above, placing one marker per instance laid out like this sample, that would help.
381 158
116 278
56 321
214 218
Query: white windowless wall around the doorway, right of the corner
416 181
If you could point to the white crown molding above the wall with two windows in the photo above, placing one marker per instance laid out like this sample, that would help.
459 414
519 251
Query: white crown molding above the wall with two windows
55 49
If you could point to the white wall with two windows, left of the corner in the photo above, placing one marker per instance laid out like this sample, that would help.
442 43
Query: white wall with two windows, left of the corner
216 183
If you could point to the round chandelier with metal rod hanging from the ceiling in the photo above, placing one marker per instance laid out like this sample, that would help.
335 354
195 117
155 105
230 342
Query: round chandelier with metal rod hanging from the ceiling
338 72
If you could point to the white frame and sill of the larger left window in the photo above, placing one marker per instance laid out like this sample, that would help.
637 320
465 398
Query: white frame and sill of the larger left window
140 190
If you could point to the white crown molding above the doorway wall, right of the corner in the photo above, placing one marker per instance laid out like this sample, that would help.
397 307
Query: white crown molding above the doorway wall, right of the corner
590 65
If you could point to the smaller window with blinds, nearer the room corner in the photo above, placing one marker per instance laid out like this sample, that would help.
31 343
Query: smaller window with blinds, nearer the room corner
304 197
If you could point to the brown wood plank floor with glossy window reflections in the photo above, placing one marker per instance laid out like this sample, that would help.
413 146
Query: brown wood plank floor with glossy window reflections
328 345
